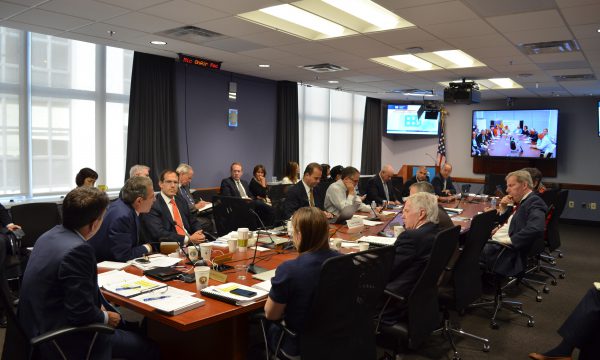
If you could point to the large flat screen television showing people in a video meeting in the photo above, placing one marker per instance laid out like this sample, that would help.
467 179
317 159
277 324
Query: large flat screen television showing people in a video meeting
515 133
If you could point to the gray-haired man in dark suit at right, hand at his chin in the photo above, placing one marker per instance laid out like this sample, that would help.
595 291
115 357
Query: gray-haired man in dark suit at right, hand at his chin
520 227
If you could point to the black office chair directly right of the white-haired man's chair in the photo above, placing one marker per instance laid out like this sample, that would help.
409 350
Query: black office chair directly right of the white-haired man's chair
465 285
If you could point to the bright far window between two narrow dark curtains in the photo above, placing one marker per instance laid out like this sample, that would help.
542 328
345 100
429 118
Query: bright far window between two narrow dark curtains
331 125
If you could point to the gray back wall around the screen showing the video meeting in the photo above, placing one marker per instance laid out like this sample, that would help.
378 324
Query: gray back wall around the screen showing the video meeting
579 145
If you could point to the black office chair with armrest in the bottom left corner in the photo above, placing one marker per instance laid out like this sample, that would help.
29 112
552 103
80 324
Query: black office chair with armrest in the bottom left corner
16 344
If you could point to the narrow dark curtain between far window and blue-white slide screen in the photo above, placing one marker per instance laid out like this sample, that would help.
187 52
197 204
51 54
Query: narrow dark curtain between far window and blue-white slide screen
372 132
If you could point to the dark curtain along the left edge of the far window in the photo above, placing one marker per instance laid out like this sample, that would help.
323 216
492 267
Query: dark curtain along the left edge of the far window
287 146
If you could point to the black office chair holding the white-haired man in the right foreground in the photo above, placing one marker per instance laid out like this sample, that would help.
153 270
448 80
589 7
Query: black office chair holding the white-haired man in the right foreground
422 303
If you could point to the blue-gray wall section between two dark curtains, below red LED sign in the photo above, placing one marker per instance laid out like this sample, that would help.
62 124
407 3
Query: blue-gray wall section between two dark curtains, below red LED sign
205 140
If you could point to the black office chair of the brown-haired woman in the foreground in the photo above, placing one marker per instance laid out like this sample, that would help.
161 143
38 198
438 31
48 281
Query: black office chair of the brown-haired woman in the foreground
340 321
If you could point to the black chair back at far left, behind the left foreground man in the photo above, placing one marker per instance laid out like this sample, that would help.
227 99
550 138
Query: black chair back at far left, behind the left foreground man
35 219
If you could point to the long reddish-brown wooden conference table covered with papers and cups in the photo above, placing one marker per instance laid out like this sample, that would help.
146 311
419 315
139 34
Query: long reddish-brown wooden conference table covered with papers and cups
218 330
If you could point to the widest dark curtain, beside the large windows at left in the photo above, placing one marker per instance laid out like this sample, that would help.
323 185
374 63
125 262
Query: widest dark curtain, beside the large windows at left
152 131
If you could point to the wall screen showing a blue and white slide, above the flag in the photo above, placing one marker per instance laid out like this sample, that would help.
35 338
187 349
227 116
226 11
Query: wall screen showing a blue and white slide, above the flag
406 120
